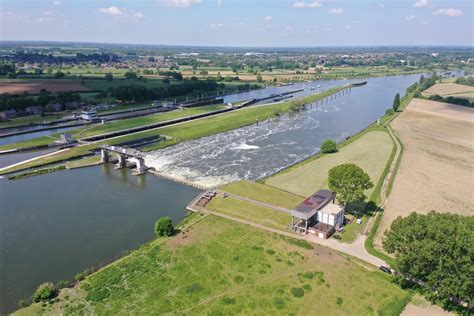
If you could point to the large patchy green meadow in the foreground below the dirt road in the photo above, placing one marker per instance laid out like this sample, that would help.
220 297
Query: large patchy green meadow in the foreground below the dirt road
219 267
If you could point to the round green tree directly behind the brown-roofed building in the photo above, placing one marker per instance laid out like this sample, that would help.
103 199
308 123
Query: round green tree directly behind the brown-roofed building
349 181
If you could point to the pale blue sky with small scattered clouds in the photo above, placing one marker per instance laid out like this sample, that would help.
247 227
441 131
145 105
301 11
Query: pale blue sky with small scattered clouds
260 23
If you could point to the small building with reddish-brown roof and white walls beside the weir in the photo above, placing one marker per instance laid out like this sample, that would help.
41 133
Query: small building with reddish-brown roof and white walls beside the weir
318 215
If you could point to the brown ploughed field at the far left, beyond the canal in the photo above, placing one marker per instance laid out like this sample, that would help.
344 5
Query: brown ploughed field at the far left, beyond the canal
35 87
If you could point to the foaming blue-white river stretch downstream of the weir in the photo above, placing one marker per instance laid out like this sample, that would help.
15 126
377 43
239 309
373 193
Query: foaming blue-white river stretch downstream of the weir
257 151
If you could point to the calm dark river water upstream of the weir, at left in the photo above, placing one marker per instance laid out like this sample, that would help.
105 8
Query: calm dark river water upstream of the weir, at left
56 225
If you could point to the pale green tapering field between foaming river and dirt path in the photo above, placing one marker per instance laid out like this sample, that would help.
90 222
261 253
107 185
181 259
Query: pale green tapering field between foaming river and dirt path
370 152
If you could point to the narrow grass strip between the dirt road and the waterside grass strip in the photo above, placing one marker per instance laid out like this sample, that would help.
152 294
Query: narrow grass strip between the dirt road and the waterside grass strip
250 212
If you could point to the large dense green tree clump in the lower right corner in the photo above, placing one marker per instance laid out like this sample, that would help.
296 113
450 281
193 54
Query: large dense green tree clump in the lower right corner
435 249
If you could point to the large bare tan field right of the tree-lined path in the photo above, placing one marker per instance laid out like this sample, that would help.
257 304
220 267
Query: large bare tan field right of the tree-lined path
437 165
